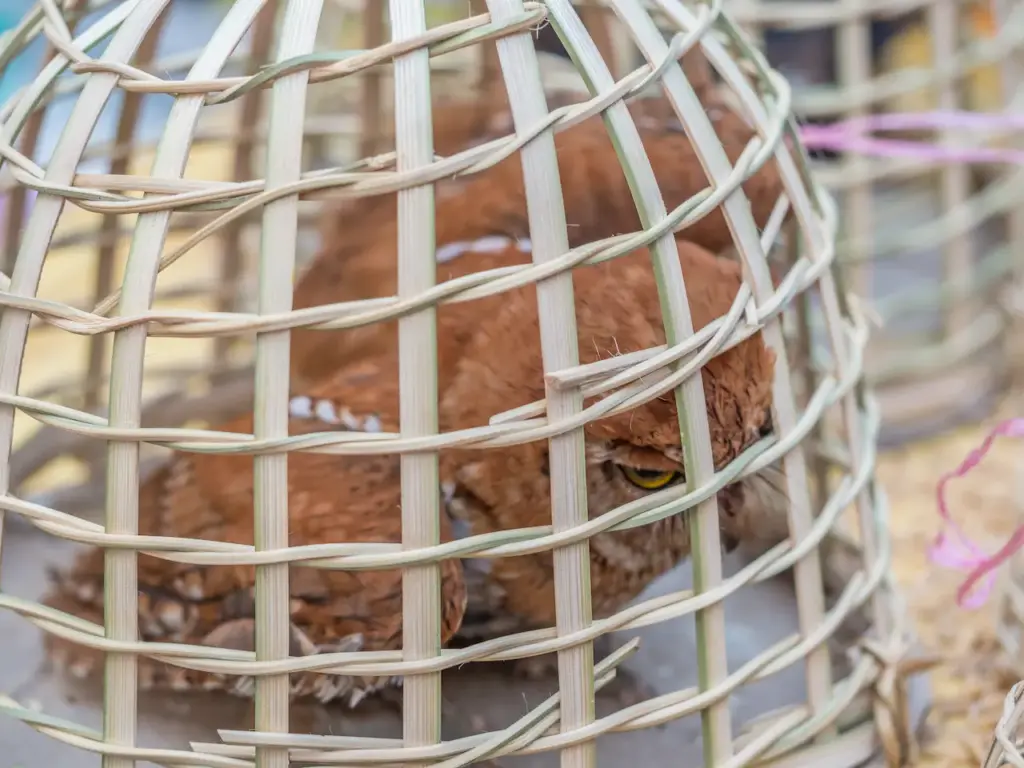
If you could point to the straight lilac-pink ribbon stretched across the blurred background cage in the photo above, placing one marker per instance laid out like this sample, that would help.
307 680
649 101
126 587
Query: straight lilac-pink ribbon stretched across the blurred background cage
855 136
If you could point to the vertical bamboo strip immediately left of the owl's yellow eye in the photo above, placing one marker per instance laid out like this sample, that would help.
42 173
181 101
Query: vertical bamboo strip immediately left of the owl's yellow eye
557 310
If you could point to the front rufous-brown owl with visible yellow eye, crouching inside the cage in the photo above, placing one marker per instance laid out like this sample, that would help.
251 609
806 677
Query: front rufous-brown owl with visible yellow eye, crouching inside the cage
493 367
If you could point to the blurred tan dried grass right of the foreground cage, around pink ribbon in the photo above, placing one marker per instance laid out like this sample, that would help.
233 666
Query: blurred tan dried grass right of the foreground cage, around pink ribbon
970 688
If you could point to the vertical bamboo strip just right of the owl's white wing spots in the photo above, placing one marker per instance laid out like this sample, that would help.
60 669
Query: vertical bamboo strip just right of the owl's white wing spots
417 377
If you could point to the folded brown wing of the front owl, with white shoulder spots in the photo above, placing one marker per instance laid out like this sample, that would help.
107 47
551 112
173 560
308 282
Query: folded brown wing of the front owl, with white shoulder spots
332 499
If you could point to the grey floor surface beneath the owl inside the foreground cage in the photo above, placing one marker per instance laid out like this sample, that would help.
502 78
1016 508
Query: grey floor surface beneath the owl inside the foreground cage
666 661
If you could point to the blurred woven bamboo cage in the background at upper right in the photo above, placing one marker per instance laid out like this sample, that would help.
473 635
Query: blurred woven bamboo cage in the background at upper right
934 248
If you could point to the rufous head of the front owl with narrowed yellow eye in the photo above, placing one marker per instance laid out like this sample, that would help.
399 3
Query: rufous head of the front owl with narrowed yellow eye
630 455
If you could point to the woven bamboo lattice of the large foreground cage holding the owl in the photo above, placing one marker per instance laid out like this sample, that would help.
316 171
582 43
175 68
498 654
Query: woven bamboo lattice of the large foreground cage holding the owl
98 57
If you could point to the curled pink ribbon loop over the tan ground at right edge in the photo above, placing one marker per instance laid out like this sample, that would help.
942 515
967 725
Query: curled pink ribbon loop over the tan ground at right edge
954 549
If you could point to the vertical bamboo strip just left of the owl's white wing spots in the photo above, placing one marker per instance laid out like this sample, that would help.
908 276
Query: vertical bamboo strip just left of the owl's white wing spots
278 248
